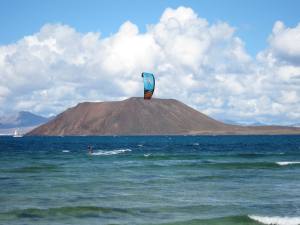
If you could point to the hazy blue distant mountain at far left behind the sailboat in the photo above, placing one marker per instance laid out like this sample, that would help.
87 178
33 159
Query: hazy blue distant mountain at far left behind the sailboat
23 121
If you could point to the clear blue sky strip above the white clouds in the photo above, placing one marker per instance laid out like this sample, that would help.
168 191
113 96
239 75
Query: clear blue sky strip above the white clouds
253 19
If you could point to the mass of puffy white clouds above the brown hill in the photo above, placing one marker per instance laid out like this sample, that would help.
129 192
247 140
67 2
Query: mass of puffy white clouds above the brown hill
203 64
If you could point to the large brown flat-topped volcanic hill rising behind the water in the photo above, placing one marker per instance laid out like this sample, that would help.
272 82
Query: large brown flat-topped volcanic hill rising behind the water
136 116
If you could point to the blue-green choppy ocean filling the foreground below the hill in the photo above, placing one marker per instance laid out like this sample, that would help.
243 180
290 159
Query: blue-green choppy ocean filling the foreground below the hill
150 180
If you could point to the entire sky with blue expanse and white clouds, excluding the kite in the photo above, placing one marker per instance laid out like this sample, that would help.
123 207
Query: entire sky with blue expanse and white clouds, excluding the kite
233 60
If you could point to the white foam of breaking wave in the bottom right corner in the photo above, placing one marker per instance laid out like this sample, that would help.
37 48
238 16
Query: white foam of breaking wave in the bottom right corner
276 220
